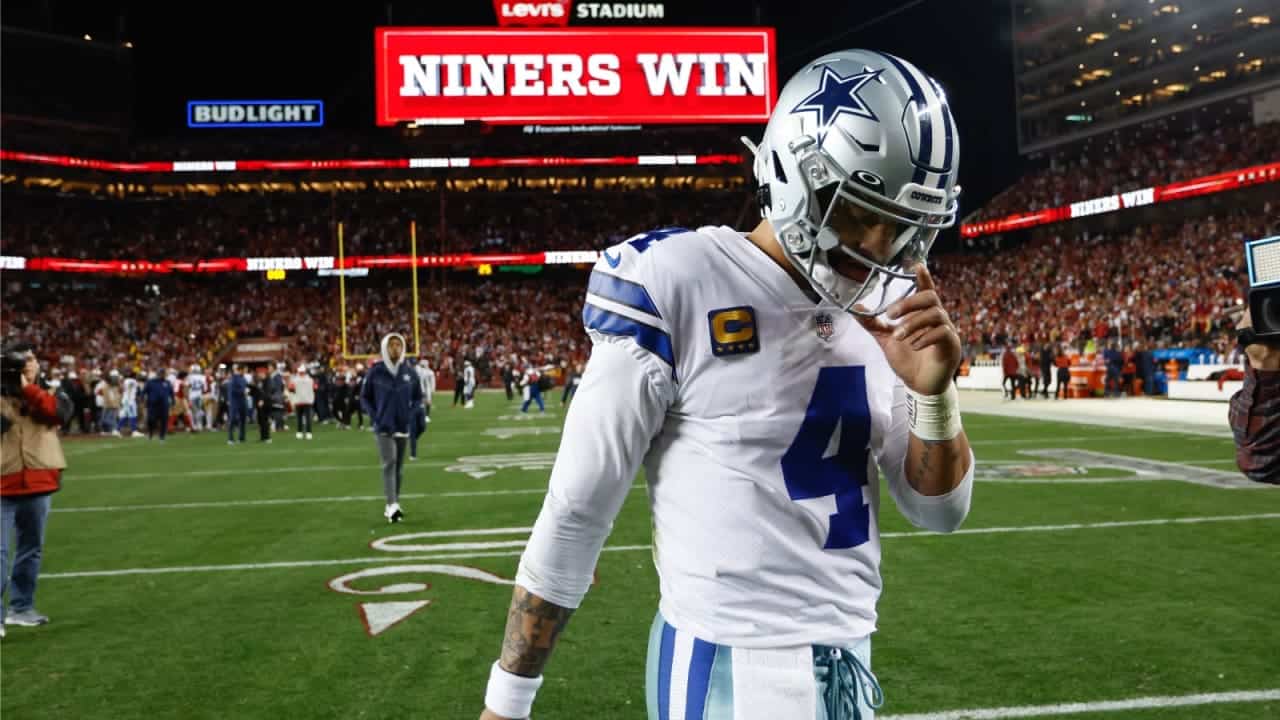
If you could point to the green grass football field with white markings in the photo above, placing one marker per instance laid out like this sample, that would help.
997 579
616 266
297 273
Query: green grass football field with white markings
193 580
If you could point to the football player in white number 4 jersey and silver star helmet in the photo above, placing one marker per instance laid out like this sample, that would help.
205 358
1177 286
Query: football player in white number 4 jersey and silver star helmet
766 381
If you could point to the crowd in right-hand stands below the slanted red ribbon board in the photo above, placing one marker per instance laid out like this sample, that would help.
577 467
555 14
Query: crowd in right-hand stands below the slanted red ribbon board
1164 285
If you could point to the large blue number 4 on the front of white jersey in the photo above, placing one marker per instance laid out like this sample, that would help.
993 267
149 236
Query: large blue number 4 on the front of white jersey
830 453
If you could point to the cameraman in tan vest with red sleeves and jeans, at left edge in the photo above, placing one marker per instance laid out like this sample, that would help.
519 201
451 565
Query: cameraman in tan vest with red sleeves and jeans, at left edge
31 467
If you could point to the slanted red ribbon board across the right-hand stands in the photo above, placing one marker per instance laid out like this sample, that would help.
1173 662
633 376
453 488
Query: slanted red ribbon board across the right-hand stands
1206 185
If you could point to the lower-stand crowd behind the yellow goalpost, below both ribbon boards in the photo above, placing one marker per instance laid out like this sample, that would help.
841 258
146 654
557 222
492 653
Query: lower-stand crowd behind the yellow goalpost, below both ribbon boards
140 326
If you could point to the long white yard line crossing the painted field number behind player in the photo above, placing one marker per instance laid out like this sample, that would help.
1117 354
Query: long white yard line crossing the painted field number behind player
638 548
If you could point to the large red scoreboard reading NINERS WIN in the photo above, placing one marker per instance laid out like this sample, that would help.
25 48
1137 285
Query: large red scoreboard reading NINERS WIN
575 75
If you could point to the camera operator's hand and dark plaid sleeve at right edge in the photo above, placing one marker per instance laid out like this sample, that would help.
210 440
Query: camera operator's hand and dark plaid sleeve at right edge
1256 409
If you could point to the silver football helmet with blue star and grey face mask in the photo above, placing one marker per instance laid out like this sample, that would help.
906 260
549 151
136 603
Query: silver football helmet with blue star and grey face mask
858 133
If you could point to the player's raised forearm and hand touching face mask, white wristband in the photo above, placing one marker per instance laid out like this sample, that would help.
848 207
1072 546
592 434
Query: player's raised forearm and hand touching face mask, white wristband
924 349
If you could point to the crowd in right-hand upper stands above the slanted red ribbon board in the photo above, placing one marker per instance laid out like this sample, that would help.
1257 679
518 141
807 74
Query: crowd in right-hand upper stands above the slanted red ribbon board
1131 161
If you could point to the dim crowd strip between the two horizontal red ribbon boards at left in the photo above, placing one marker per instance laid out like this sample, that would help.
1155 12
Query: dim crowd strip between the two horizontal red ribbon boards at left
376 224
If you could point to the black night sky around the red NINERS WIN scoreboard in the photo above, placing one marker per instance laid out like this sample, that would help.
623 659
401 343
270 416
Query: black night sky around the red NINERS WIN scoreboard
278 51
